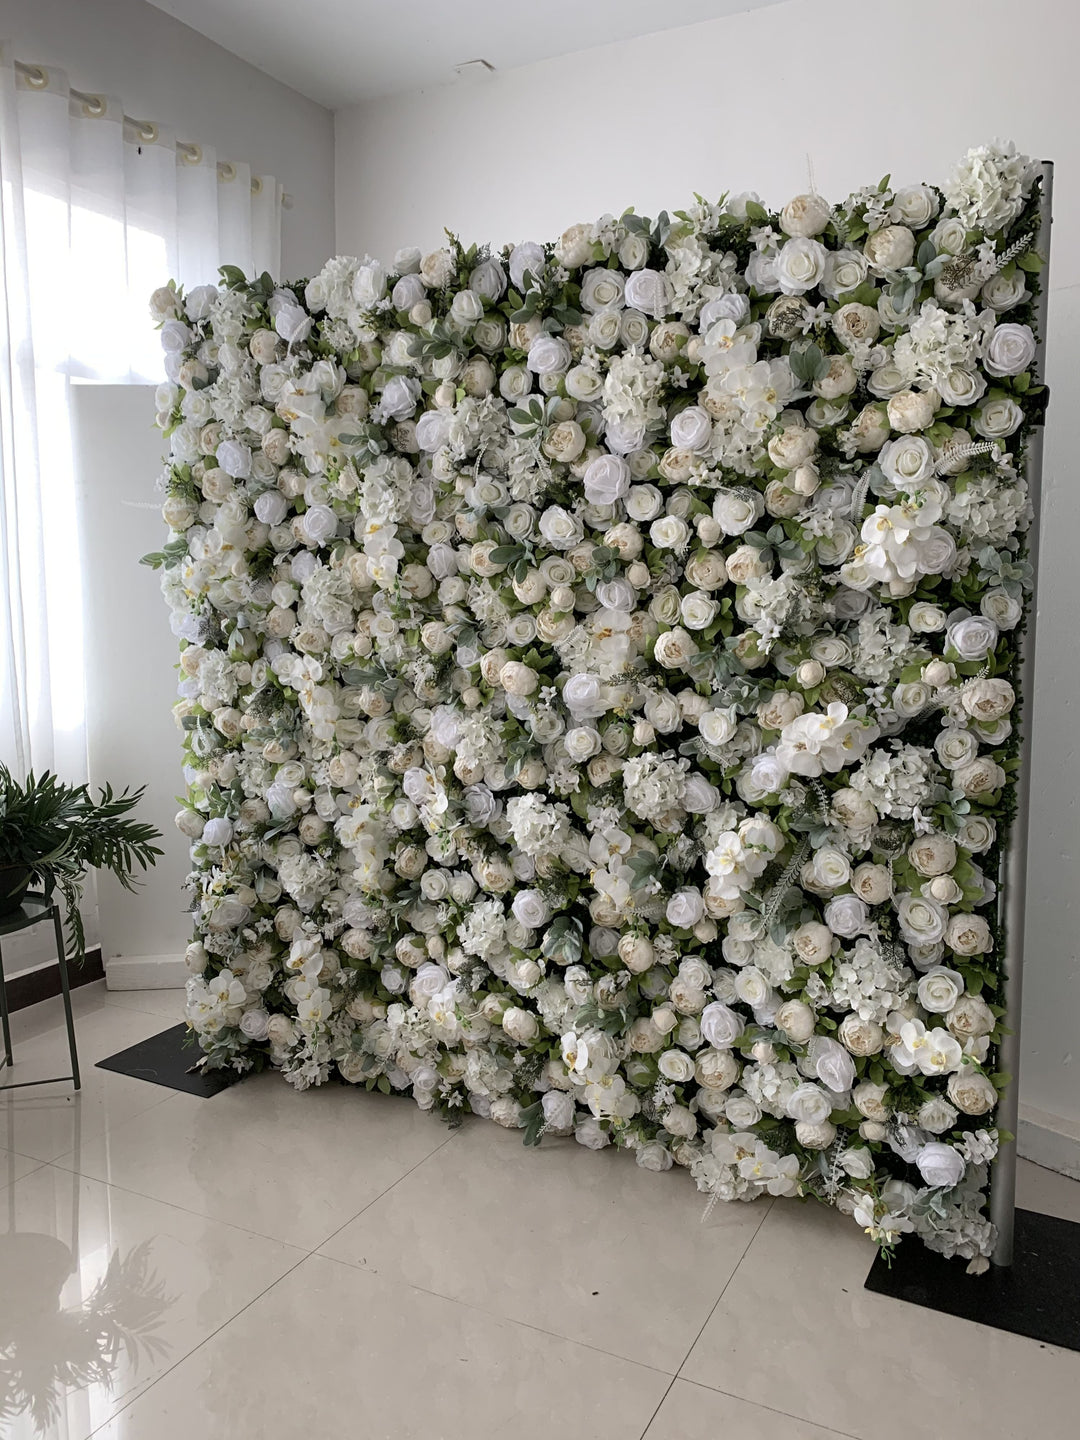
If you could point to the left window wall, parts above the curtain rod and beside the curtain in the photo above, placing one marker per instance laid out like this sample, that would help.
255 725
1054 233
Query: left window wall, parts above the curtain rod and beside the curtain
168 73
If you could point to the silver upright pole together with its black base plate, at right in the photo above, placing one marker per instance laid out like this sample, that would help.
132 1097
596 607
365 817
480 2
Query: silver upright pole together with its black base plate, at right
1030 1288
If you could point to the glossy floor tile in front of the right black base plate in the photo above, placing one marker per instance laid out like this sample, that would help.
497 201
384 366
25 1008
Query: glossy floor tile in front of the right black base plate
797 1331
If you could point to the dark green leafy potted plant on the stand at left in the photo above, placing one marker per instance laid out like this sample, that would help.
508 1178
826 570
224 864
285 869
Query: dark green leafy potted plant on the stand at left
53 834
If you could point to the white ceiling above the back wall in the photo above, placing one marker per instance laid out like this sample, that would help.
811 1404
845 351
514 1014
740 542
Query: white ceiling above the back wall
339 53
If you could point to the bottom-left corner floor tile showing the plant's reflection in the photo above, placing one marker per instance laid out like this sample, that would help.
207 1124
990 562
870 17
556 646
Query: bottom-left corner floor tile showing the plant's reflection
103 1292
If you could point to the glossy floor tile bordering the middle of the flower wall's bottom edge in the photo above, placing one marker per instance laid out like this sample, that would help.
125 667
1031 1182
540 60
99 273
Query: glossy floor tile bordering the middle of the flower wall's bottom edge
584 1245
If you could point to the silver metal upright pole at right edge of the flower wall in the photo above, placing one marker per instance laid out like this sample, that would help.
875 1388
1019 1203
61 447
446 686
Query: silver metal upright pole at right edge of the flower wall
1013 898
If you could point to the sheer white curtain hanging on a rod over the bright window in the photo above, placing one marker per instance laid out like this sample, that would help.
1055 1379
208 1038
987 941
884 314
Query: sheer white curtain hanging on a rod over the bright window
96 212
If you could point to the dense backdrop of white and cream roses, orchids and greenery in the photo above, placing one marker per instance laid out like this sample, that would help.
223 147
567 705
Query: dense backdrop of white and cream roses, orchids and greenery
597 680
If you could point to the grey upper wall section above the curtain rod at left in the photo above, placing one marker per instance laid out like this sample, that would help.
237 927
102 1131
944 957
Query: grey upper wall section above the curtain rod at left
168 73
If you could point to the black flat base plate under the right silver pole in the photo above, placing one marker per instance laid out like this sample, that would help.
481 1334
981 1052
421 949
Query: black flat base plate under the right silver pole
1039 1295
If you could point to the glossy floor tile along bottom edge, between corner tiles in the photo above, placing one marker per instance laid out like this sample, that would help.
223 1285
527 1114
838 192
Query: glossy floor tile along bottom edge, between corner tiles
332 1351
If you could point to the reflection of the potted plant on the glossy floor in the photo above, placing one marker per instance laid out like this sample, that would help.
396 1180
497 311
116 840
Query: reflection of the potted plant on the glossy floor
50 1351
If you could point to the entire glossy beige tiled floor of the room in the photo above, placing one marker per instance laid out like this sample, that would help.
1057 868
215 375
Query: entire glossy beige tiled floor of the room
296 1266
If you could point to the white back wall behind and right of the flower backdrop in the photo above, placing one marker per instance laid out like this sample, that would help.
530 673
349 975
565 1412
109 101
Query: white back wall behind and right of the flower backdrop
862 87
